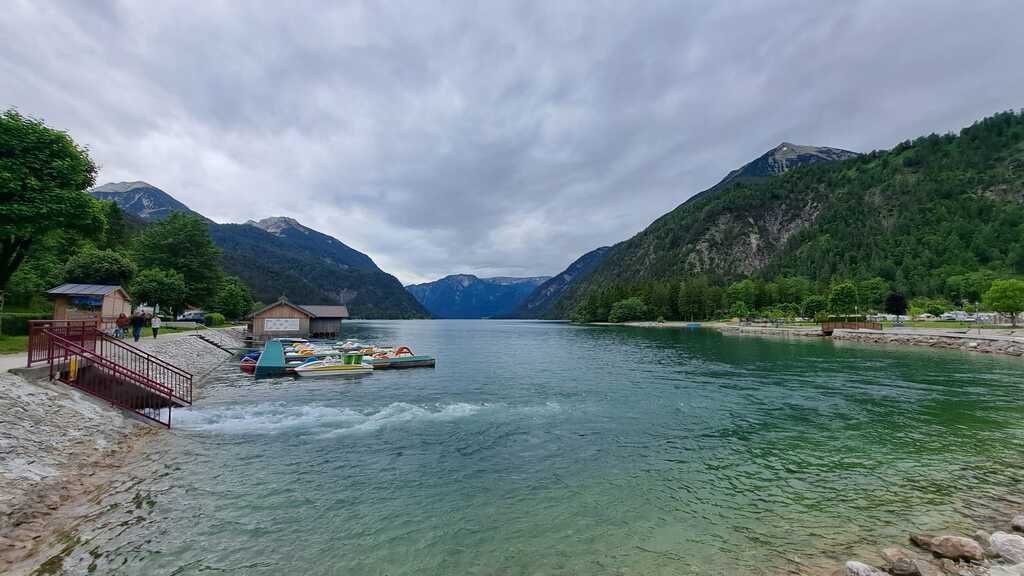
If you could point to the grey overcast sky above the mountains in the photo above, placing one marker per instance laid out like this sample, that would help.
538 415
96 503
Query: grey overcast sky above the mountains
490 138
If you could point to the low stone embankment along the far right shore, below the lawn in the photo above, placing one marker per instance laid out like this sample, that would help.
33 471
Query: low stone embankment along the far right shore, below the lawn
968 342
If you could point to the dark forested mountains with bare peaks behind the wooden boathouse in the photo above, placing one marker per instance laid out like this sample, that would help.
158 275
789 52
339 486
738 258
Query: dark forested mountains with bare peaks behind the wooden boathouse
280 257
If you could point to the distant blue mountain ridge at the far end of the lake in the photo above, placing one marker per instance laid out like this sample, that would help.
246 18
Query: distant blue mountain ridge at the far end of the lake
467 297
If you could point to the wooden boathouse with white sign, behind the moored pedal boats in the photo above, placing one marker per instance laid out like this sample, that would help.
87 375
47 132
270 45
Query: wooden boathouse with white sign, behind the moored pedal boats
286 320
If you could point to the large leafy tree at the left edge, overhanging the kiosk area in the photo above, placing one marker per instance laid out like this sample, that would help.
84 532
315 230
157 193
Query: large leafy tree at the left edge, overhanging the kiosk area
44 178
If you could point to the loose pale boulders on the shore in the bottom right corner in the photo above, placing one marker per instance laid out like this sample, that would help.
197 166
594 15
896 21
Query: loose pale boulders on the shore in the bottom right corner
1000 554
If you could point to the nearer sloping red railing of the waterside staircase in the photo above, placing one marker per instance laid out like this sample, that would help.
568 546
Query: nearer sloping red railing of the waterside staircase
91 373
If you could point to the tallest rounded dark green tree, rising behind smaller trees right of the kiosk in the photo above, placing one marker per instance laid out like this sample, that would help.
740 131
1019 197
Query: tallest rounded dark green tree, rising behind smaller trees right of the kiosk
182 242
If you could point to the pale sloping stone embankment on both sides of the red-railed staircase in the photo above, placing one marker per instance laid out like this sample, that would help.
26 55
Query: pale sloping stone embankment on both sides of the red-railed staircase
57 441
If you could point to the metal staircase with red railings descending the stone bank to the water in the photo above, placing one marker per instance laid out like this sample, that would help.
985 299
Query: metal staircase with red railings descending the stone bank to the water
83 357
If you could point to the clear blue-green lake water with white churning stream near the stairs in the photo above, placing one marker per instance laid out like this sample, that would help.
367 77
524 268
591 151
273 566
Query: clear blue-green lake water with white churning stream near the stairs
542 448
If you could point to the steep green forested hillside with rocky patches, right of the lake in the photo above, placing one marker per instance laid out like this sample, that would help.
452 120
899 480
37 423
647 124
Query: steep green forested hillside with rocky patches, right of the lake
933 218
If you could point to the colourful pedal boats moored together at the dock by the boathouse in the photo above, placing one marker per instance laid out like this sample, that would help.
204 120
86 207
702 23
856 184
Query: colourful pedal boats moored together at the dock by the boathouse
305 358
